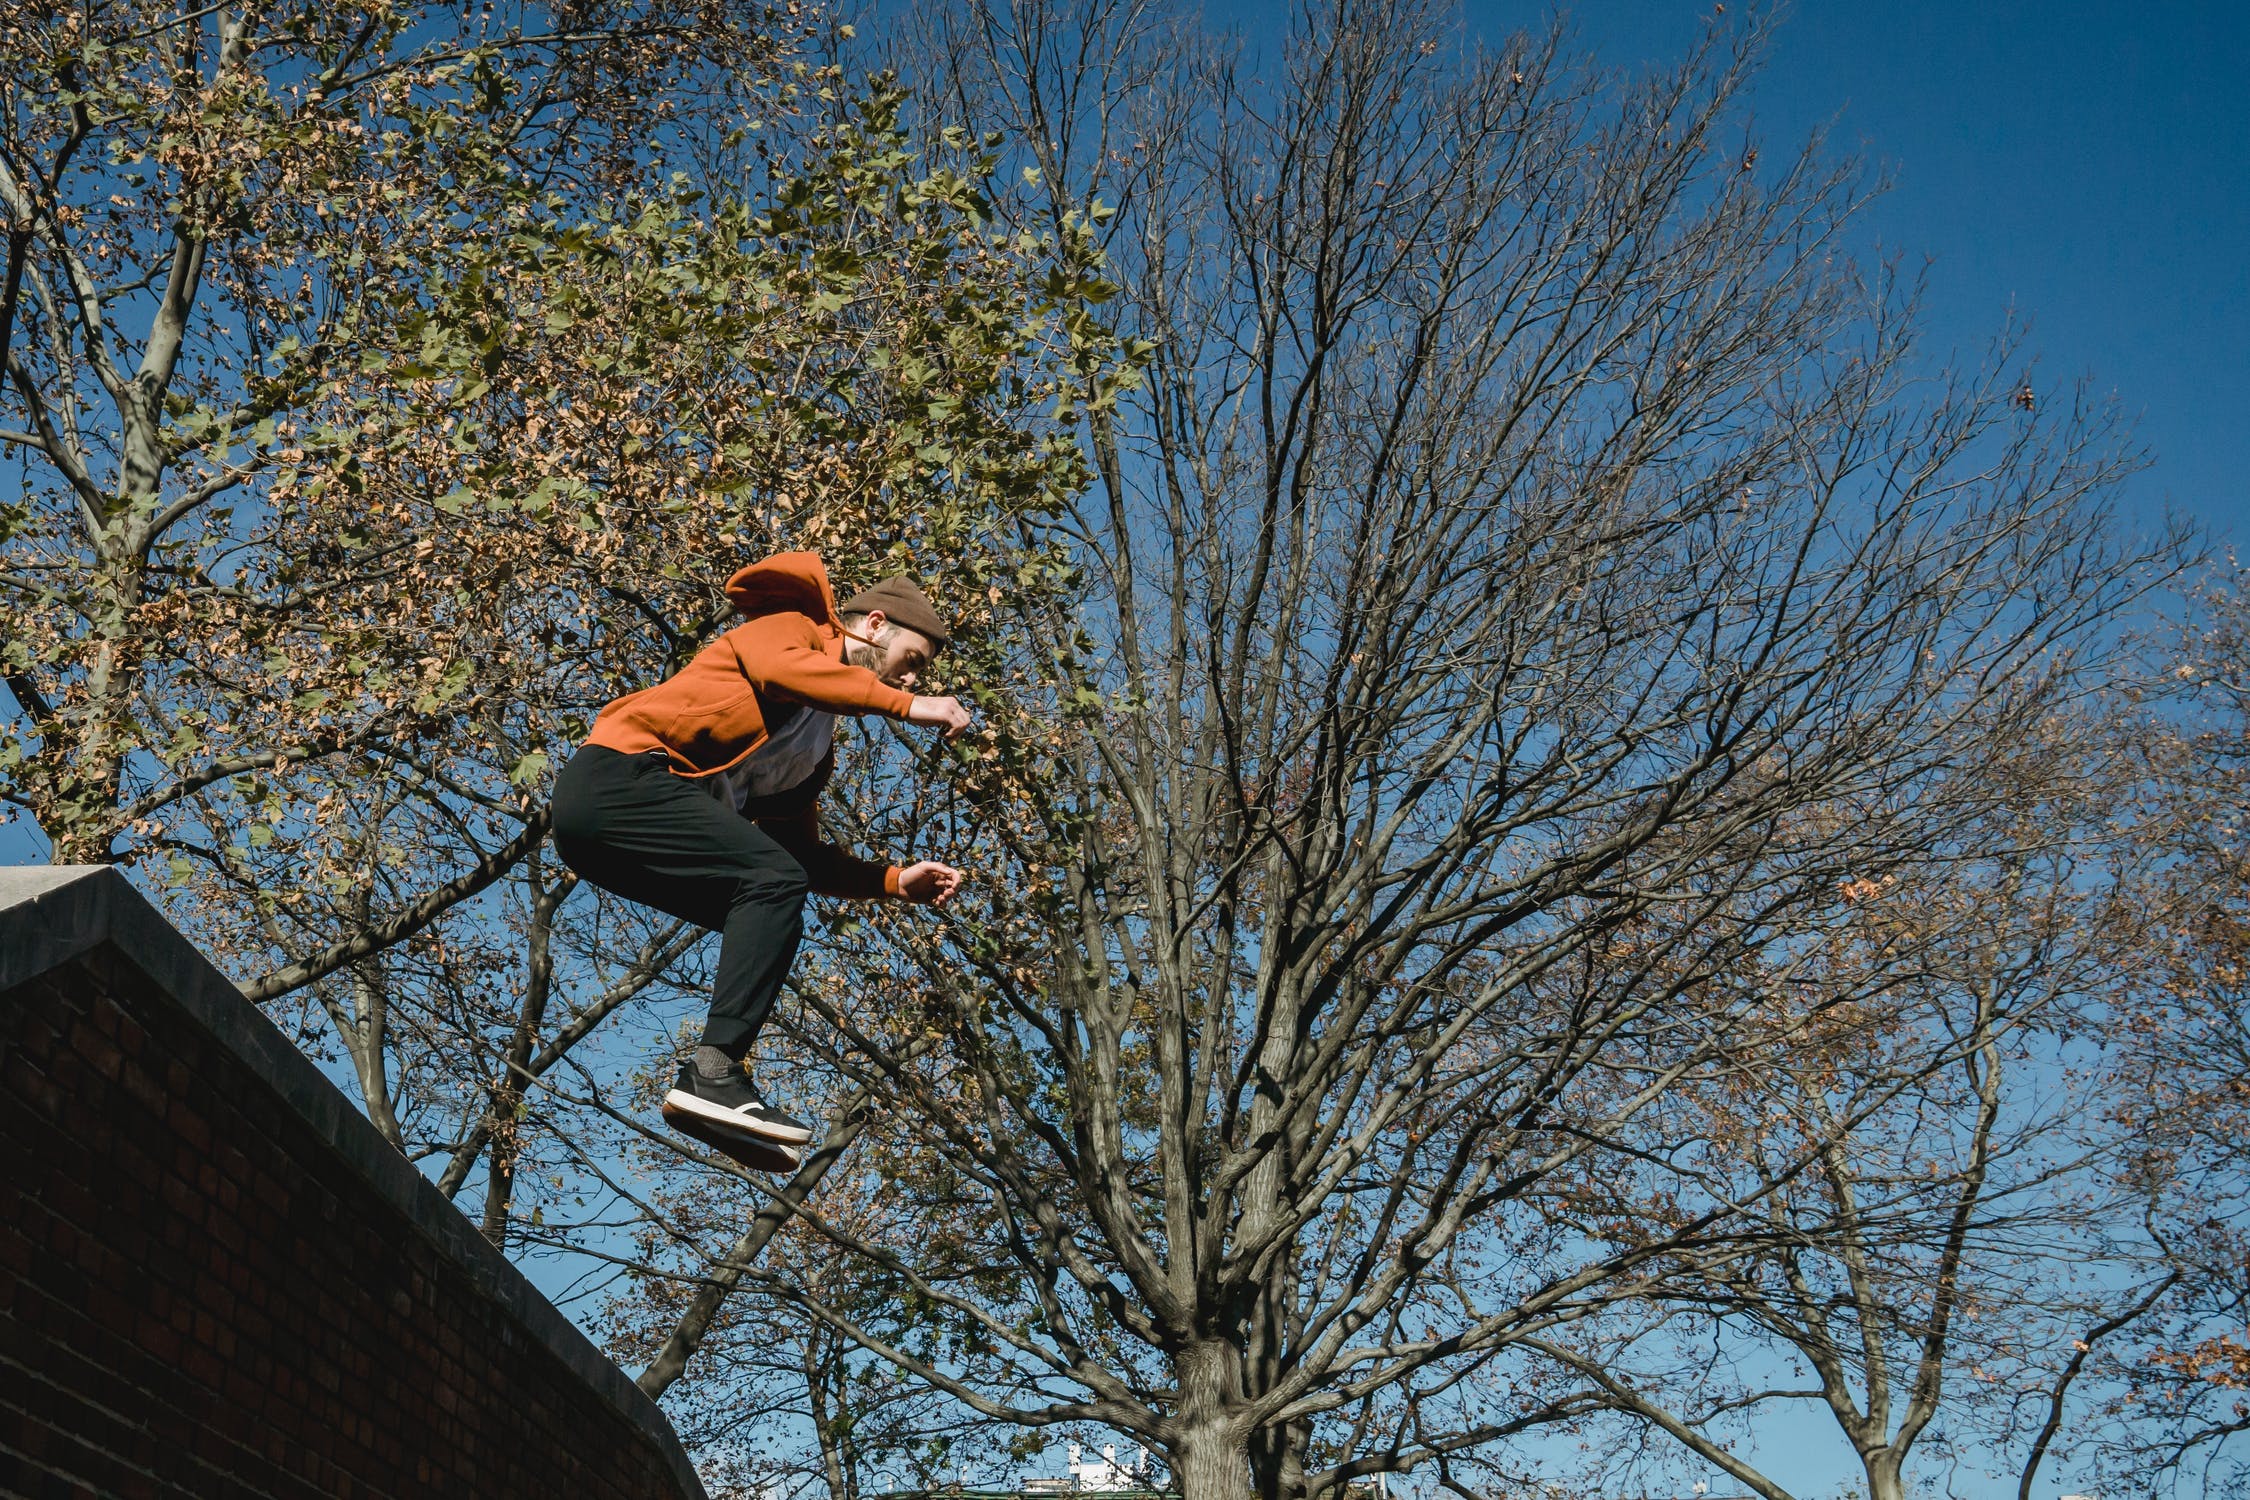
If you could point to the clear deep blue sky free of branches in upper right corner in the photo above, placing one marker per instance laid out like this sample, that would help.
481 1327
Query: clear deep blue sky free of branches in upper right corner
2085 165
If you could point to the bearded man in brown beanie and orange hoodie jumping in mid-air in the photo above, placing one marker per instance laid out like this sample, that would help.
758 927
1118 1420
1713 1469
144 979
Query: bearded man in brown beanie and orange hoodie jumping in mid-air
699 795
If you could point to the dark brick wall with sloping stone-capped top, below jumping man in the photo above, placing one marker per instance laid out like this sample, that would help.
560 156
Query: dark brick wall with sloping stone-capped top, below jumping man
217 1278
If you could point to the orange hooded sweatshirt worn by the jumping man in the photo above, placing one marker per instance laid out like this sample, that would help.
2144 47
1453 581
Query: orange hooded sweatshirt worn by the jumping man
712 714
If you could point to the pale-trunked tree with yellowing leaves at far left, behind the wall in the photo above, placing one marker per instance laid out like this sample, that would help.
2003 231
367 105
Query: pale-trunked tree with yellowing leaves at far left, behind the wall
235 215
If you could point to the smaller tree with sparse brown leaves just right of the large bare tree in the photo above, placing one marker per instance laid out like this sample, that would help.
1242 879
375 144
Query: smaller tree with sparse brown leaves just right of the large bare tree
1950 1186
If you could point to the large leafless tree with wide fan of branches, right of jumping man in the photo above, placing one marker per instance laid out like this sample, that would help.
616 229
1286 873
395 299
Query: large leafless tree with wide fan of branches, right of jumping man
1531 584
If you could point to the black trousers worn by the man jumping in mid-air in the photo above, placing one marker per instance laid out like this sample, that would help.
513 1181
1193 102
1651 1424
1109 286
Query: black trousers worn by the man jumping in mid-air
631 826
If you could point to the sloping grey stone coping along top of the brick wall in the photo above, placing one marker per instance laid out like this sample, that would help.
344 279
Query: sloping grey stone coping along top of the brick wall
57 914
